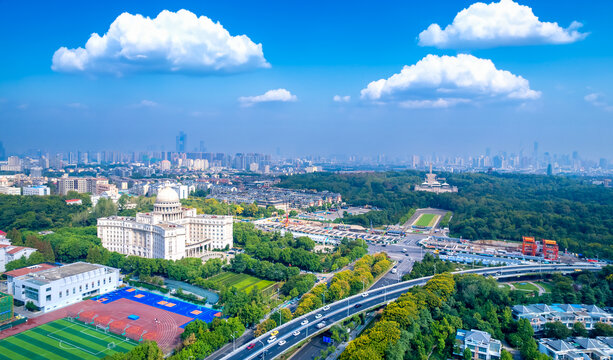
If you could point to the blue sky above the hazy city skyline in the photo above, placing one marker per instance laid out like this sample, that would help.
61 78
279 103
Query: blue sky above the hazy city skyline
315 50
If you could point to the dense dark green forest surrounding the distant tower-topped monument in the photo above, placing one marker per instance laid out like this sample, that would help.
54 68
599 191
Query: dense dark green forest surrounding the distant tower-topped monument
488 206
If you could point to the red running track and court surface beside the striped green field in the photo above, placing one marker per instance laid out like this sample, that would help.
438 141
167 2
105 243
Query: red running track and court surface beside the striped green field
165 331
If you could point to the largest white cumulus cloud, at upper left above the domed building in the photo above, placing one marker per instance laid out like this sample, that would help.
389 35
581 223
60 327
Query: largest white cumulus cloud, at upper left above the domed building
172 42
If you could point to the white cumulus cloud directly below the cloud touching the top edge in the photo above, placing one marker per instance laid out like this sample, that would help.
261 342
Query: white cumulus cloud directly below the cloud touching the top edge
443 81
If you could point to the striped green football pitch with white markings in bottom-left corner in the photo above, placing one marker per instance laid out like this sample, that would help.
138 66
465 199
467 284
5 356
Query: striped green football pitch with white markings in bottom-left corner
63 339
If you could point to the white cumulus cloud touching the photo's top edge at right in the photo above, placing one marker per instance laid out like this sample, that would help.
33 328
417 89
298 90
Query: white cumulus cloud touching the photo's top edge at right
498 24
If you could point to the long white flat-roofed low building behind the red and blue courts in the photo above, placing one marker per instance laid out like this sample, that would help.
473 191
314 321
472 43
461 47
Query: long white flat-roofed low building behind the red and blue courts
61 286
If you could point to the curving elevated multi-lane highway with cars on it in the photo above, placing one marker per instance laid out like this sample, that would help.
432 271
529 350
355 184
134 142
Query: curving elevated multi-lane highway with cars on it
320 319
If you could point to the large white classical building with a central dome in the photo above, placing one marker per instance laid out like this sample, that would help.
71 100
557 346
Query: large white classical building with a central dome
169 232
